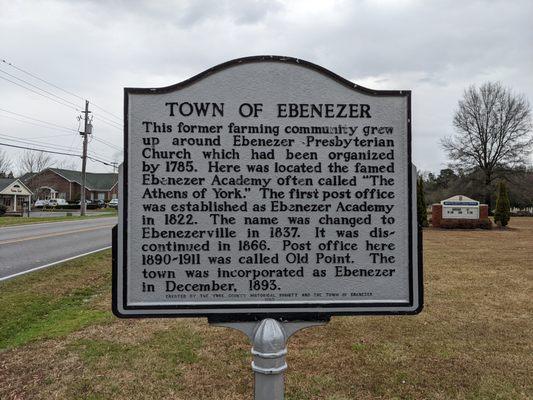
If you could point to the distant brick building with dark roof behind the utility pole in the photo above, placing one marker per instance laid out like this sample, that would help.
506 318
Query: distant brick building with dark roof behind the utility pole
56 183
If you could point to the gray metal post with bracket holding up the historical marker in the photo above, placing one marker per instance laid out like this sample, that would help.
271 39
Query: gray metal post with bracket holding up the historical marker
269 349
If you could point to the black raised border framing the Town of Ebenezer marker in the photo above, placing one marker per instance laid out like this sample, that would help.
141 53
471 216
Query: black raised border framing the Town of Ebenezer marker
317 310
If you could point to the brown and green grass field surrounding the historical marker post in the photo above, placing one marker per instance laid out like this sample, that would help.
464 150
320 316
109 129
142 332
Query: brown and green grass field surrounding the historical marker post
474 339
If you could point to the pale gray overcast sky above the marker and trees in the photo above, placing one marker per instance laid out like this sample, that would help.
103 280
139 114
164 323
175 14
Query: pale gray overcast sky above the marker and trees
95 48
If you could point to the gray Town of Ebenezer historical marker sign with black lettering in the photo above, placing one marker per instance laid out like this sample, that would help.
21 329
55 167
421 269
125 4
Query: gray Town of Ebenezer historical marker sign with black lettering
267 186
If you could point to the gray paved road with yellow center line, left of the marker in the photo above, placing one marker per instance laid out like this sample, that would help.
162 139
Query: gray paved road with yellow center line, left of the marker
29 247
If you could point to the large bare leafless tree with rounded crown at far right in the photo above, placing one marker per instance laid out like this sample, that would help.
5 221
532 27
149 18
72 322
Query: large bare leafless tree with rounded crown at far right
493 127
